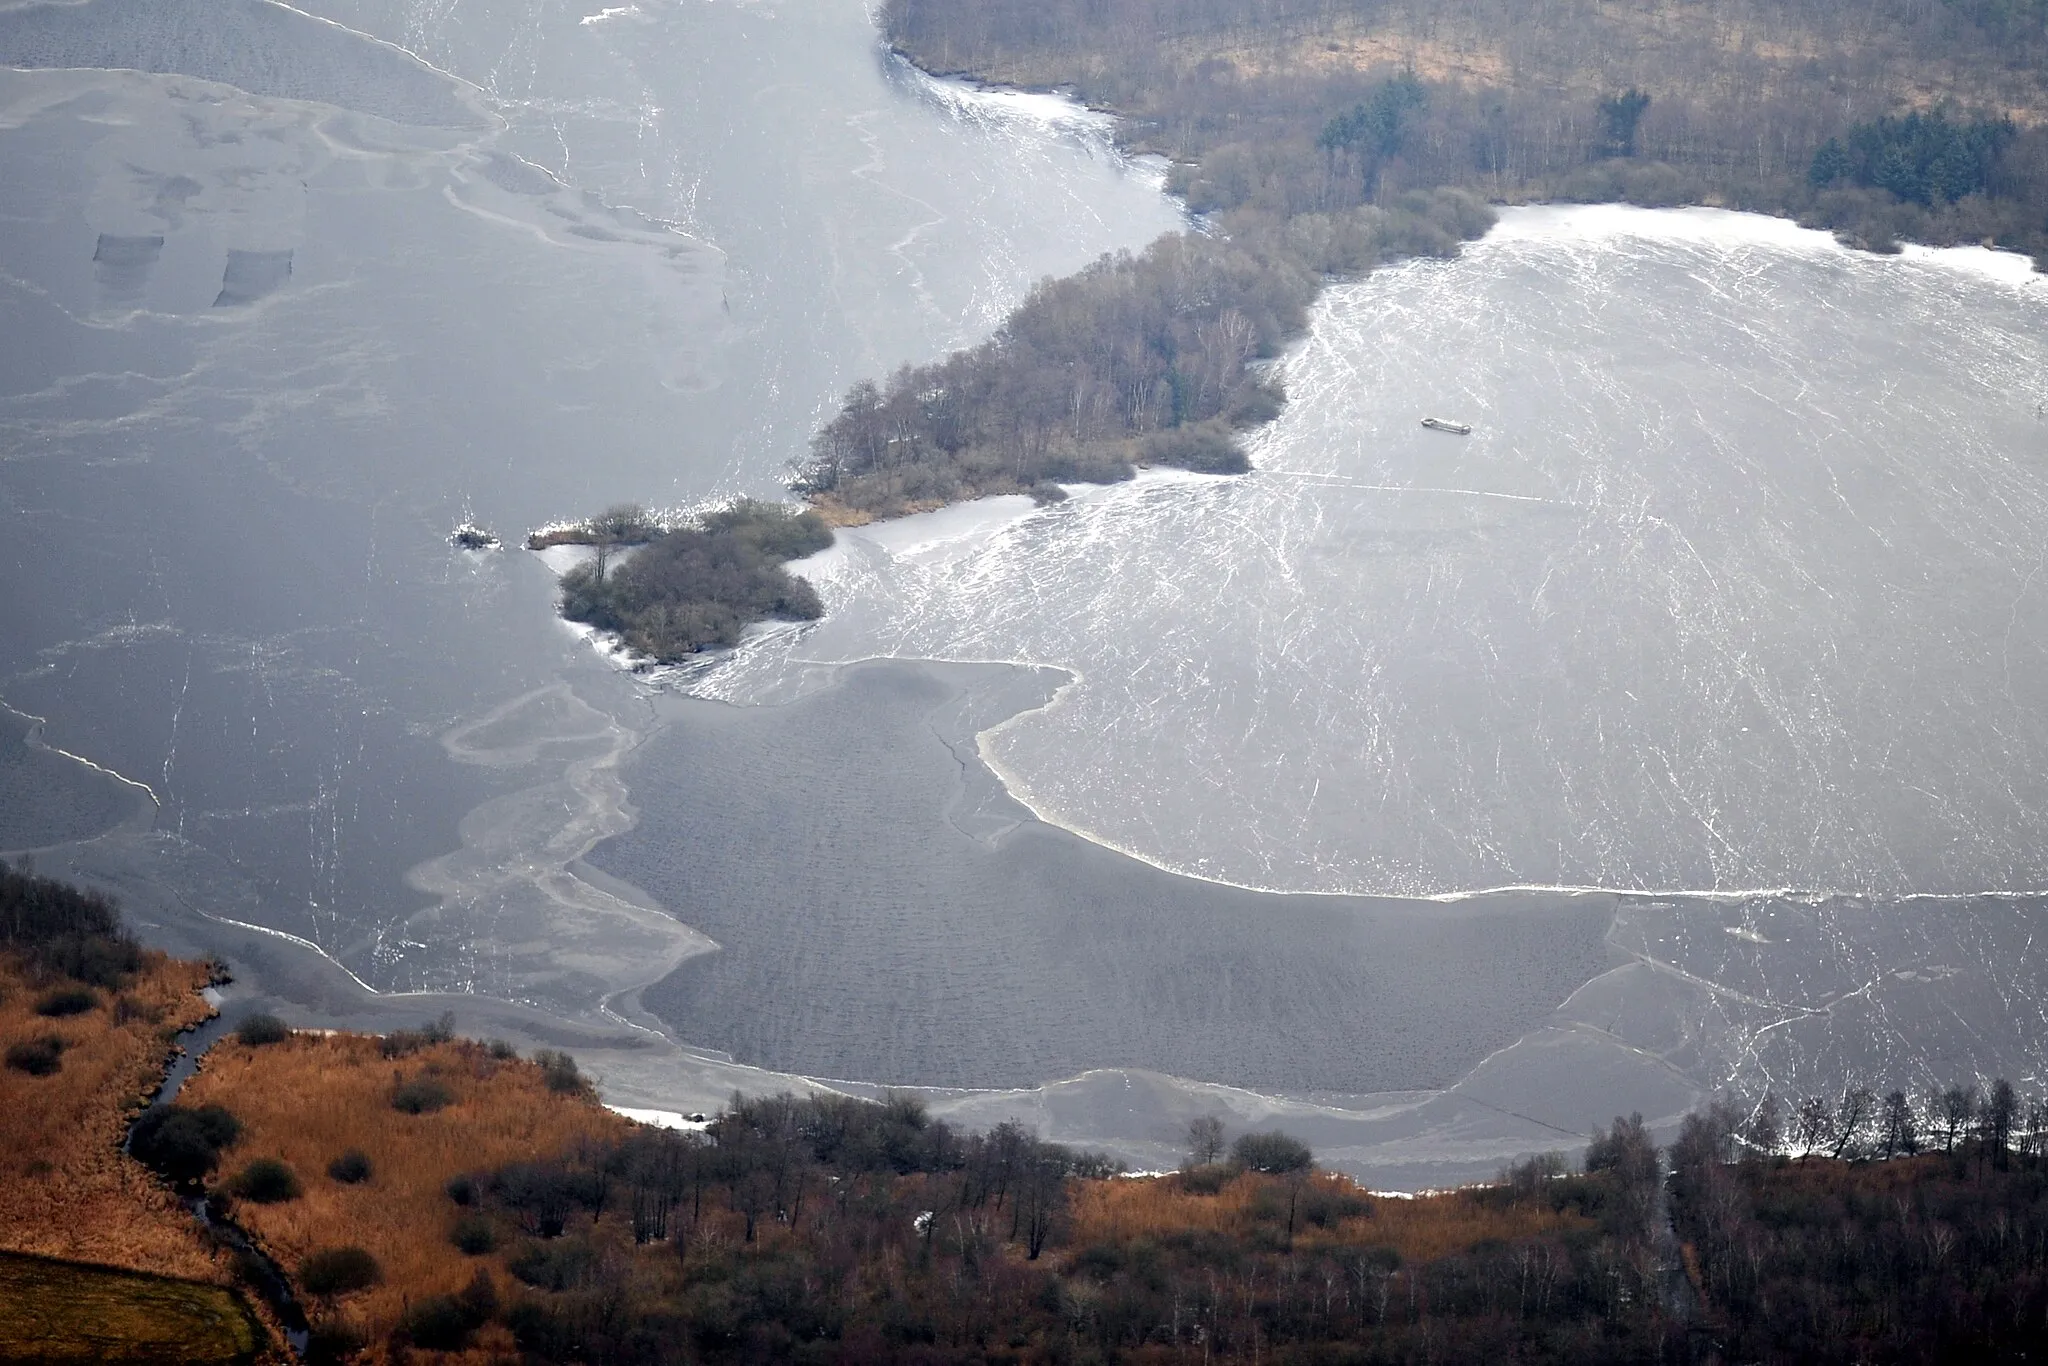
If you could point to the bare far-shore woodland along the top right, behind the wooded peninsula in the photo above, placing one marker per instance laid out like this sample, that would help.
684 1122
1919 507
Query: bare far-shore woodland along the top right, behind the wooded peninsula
1314 105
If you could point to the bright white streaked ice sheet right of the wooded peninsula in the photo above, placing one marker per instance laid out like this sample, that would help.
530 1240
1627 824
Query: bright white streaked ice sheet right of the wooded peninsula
1738 585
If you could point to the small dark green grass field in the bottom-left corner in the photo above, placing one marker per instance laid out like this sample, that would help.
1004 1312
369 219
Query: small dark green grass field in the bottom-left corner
67 1312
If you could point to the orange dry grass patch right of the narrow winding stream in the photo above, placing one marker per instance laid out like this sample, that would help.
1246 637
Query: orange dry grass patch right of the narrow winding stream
312 1099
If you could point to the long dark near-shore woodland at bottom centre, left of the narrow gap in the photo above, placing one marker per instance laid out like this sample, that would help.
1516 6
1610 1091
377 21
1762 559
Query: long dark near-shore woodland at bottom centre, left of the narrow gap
849 1232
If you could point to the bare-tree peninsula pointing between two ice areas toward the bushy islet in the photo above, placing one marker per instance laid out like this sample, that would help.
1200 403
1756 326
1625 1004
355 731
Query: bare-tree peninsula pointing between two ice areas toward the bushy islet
1138 359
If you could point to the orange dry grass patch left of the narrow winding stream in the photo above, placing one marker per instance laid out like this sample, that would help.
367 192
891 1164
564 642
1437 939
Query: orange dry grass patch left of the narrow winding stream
67 1191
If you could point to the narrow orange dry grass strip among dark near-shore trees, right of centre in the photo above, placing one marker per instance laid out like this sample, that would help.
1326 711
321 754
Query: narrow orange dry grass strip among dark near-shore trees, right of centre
1420 1230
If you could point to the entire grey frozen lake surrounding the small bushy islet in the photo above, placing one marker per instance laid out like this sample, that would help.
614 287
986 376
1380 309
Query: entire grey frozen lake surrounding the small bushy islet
1678 730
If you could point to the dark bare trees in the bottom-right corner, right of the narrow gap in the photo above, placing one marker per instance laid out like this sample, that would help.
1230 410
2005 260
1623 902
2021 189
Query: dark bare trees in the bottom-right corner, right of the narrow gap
1854 1258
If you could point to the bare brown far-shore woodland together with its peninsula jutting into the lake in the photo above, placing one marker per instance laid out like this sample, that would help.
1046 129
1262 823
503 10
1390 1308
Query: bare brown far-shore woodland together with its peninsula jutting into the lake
1326 136
